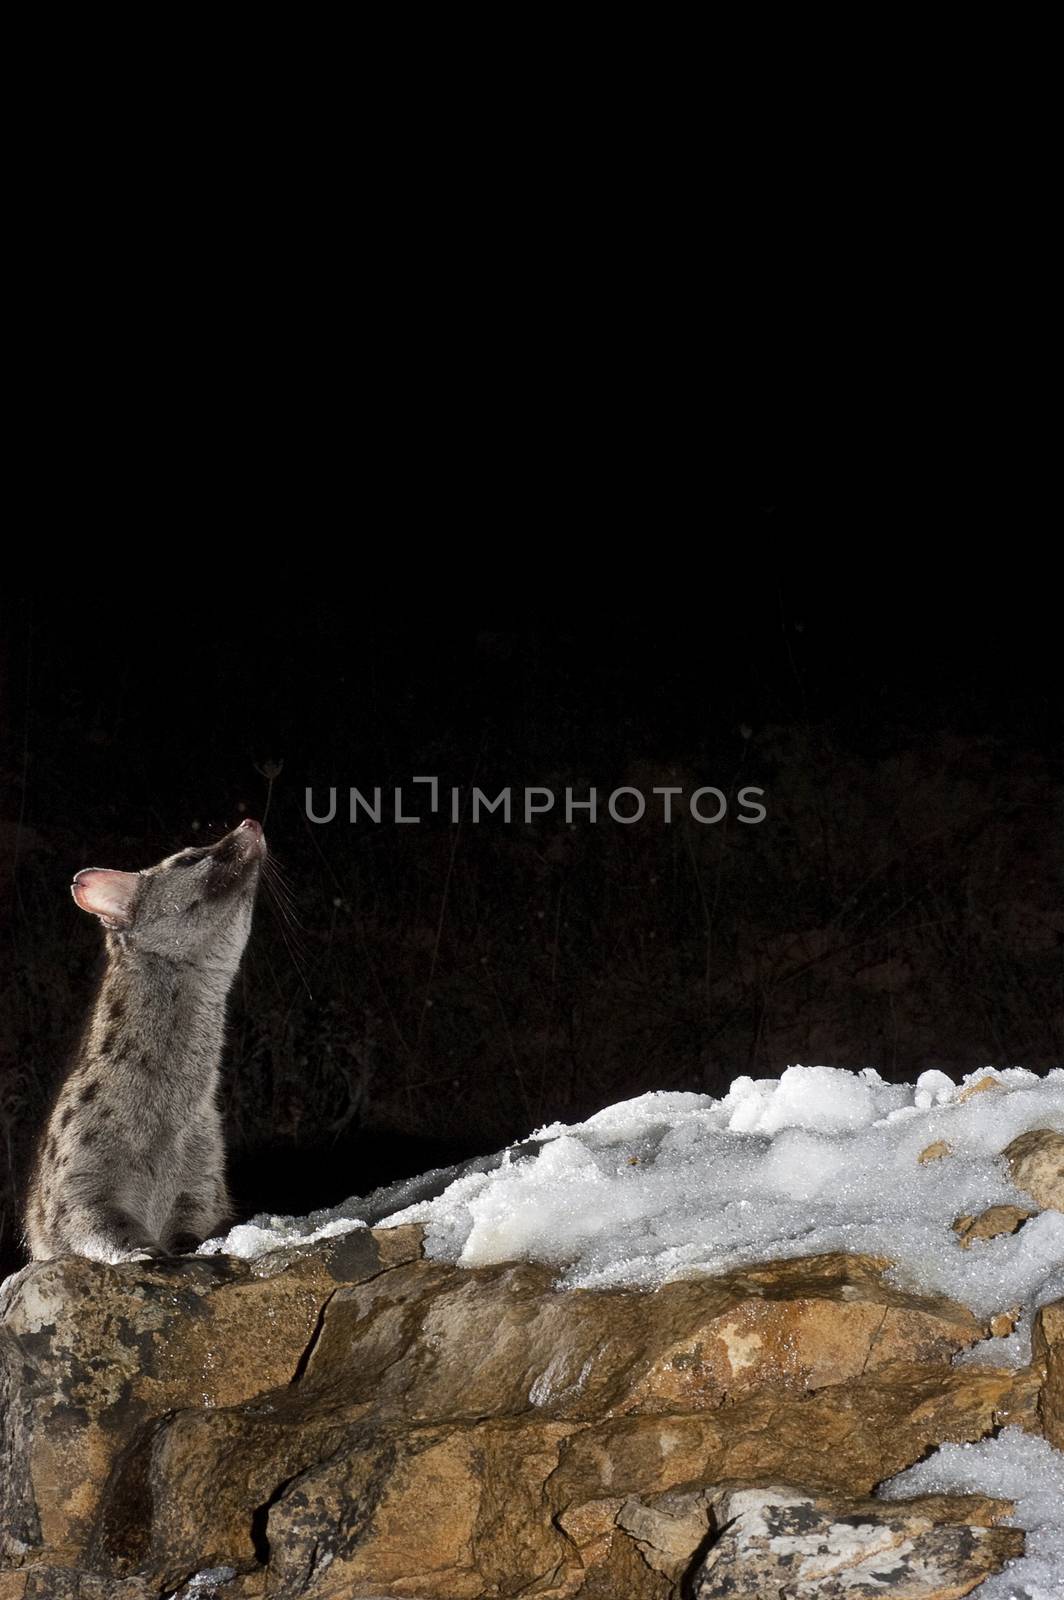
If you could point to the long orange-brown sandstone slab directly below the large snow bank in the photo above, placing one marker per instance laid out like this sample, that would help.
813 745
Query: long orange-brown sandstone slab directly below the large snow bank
436 1342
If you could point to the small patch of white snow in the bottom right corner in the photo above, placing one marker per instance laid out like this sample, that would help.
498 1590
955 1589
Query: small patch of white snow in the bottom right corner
1012 1466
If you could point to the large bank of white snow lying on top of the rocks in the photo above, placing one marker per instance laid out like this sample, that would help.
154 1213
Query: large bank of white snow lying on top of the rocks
676 1186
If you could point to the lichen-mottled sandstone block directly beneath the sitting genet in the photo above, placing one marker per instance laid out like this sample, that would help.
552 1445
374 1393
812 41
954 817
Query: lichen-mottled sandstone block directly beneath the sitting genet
90 1354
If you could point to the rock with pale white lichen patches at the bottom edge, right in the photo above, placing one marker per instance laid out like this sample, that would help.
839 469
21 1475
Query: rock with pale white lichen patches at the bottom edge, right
783 1542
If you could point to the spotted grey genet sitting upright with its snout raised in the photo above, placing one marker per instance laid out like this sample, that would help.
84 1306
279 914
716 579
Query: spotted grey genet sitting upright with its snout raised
132 1162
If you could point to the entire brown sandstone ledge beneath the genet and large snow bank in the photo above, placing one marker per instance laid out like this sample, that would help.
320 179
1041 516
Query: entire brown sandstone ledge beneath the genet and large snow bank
351 1420
